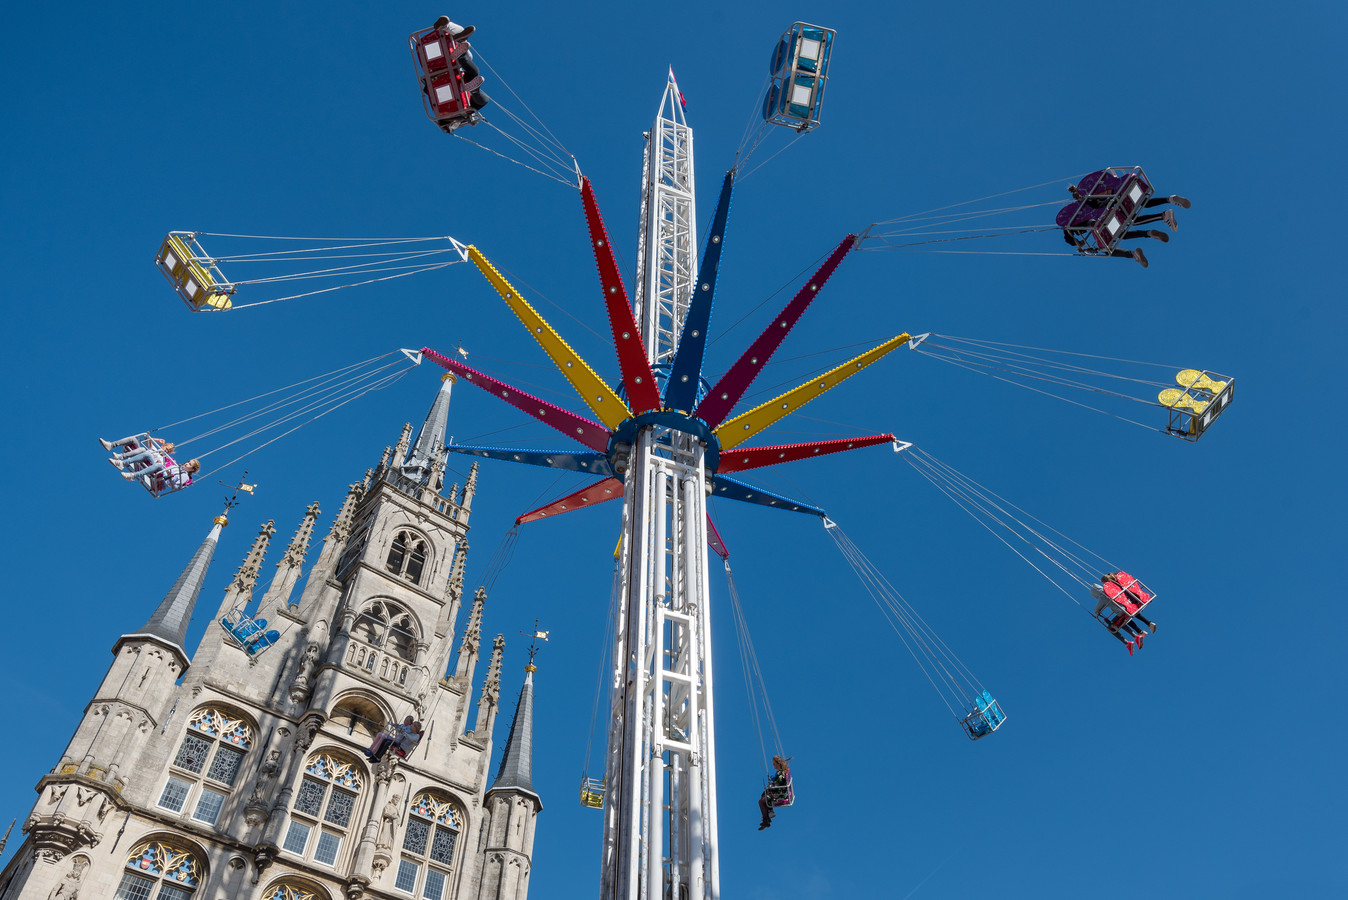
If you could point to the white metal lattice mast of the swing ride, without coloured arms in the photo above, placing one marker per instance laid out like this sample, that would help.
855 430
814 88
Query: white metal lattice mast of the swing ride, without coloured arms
660 823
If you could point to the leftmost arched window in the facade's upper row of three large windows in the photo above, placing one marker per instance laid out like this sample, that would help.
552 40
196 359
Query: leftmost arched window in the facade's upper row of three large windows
207 766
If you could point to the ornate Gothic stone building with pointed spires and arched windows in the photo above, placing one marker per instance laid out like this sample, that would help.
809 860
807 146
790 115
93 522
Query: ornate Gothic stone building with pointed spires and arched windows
239 773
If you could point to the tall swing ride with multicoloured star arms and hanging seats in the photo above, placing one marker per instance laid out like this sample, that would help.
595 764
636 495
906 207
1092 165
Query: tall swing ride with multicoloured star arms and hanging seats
667 437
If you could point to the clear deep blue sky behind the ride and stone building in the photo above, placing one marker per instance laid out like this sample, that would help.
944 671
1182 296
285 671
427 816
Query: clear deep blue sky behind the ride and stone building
1207 766
